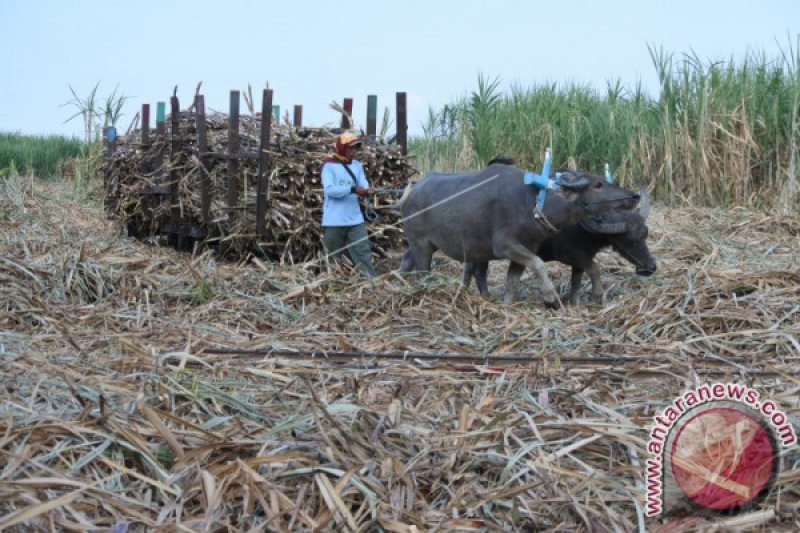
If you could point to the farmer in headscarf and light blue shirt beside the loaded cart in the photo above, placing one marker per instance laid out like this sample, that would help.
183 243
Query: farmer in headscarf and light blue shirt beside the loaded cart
343 182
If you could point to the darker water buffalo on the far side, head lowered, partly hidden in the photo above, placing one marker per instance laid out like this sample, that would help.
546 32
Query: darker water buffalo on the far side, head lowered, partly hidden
624 232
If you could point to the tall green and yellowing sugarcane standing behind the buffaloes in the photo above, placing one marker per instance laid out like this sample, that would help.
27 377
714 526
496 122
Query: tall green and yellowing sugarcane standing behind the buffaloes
717 133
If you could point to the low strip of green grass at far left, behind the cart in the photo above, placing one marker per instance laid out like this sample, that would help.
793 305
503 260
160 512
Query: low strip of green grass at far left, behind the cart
41 155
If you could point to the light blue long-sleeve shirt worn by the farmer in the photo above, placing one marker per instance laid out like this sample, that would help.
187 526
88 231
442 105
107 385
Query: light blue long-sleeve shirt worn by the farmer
340 207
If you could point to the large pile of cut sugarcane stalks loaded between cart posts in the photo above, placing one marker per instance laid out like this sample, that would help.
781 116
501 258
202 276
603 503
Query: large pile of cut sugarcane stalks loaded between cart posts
157 188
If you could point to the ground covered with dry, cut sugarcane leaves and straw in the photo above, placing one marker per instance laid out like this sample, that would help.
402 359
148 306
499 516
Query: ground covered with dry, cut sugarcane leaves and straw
116 416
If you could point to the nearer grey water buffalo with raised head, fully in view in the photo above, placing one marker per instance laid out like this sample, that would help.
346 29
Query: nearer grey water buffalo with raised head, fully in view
490 214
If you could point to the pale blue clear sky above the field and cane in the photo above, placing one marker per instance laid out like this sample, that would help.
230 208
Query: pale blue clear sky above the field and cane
312 52
